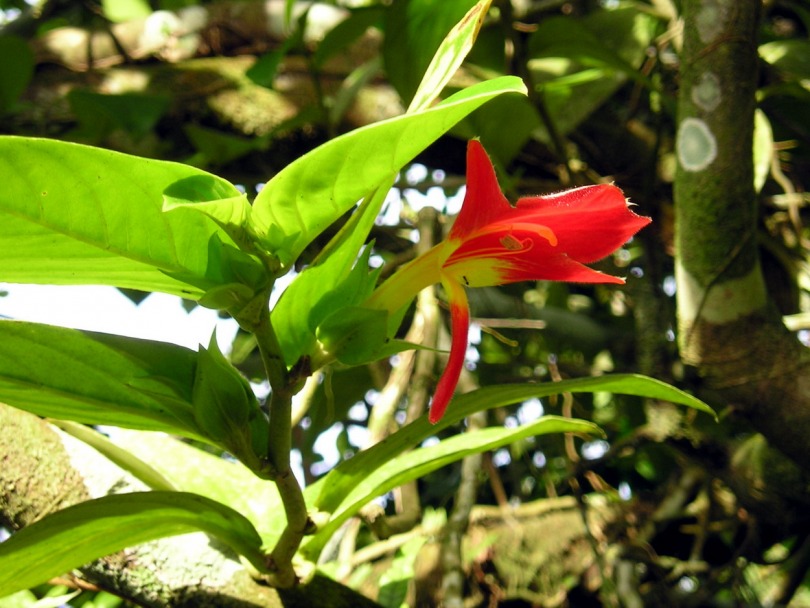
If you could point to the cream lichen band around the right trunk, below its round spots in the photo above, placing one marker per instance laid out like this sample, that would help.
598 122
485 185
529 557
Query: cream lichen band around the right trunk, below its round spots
722 302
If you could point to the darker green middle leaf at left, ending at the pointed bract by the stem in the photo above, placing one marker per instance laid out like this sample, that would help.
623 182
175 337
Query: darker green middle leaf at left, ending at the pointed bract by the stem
97 378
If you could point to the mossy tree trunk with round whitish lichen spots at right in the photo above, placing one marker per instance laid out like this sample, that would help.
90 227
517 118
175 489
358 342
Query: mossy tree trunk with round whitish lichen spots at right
729 328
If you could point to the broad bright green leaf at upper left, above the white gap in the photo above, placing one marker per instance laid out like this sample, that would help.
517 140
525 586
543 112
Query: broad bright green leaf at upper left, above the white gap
72 215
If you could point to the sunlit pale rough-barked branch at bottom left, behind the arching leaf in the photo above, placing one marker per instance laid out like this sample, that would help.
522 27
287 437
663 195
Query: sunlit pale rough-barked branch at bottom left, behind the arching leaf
43 470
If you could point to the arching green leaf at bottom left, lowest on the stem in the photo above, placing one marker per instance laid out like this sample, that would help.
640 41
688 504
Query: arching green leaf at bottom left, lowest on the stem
74 536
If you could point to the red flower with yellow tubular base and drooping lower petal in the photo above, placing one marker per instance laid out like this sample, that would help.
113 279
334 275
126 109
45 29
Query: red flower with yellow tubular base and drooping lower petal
492 243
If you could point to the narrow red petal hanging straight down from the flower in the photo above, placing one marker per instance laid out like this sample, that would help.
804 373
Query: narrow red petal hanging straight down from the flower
459 326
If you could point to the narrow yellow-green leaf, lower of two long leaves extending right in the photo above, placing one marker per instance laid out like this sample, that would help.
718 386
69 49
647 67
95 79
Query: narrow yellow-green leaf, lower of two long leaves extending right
412 465
